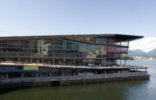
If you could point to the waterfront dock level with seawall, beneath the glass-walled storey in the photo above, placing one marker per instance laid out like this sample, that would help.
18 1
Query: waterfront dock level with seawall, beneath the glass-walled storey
53 75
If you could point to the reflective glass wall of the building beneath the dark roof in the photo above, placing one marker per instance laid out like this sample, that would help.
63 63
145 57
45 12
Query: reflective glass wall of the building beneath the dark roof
72 50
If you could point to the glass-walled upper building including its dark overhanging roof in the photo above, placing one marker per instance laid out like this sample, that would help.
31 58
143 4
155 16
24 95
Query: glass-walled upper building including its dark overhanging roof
96 49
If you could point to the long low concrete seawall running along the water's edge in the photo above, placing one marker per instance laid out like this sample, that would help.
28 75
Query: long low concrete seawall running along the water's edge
18 83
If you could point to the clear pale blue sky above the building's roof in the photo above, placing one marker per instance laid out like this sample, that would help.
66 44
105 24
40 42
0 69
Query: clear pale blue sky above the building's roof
49 17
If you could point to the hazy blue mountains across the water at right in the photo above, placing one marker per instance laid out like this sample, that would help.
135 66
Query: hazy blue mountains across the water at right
142 53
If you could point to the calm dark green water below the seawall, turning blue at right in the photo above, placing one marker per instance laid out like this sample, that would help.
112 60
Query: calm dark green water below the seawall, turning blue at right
126 90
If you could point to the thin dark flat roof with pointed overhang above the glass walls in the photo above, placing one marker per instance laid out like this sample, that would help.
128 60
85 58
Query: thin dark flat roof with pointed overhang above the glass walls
119 37
